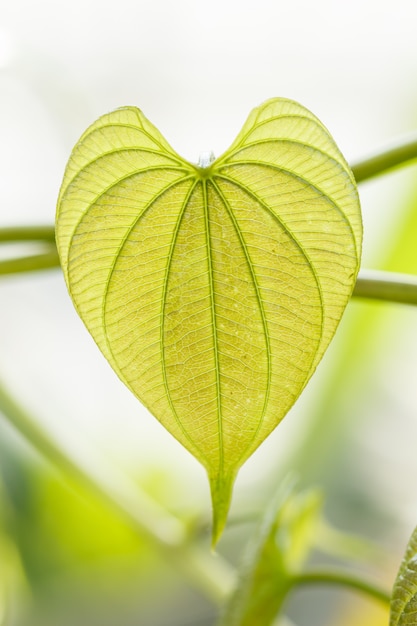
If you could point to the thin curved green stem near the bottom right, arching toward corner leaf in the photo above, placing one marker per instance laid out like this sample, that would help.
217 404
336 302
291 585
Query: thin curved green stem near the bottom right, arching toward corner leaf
343 579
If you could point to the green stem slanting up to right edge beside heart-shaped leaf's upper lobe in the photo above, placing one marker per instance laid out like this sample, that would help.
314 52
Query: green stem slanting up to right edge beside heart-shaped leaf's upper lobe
378 164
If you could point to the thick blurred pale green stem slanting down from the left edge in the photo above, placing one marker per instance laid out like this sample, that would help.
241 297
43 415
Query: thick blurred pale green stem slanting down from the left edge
213 576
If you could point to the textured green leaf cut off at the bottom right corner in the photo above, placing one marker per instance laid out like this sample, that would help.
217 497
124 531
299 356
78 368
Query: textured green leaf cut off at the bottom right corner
404 594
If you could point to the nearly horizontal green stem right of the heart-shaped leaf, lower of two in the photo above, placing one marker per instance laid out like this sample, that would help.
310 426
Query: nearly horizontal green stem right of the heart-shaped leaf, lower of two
386 286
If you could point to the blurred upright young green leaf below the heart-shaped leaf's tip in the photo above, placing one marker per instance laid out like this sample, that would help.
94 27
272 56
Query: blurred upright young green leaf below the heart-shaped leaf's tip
277 551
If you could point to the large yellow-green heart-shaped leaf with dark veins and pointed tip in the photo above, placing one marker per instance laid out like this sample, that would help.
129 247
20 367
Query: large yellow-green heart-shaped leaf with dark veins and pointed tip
214 289
